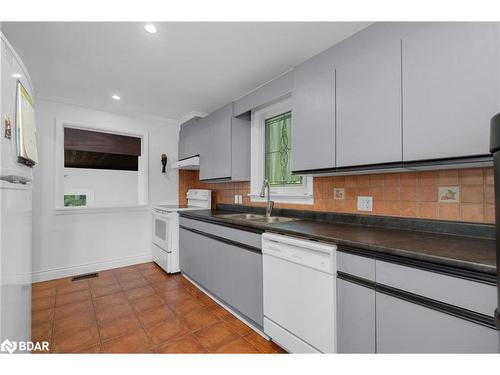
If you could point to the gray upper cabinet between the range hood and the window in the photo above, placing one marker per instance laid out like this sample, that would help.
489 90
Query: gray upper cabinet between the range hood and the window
225 155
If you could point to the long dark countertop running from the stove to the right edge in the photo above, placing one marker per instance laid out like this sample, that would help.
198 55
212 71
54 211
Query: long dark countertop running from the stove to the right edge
470 253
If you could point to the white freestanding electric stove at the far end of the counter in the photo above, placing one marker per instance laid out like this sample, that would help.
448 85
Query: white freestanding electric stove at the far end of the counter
166 228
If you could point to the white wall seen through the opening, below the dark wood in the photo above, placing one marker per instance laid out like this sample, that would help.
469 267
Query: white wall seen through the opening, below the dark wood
109 188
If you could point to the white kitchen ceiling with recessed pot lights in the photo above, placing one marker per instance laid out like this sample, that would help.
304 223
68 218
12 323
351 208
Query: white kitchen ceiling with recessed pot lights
184 67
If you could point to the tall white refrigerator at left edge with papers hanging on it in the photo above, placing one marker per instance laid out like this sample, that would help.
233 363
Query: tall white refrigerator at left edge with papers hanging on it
17 157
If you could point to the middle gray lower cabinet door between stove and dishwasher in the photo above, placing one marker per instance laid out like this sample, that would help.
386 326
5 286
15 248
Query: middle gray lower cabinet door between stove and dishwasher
219 275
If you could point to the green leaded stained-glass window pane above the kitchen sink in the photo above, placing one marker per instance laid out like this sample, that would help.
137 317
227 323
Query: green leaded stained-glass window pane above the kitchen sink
278 151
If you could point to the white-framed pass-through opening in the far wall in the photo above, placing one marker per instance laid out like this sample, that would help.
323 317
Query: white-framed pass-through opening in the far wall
100 167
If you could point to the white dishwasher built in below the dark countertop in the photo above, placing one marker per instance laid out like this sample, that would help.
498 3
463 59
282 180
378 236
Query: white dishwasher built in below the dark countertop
299 293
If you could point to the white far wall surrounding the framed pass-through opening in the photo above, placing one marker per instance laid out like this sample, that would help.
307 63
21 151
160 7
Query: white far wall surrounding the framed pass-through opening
74 243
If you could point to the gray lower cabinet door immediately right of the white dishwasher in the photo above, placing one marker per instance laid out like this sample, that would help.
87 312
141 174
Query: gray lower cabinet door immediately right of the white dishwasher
355 318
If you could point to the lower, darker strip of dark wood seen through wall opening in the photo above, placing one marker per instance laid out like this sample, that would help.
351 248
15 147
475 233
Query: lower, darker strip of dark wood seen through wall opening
100 160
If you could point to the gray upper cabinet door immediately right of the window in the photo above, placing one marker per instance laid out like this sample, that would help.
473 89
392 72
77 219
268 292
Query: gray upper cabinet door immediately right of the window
313 116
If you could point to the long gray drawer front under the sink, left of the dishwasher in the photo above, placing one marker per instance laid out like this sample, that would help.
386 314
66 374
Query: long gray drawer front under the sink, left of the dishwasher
241 236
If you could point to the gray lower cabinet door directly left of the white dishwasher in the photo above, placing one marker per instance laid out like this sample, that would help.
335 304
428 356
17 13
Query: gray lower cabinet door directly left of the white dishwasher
247 288
